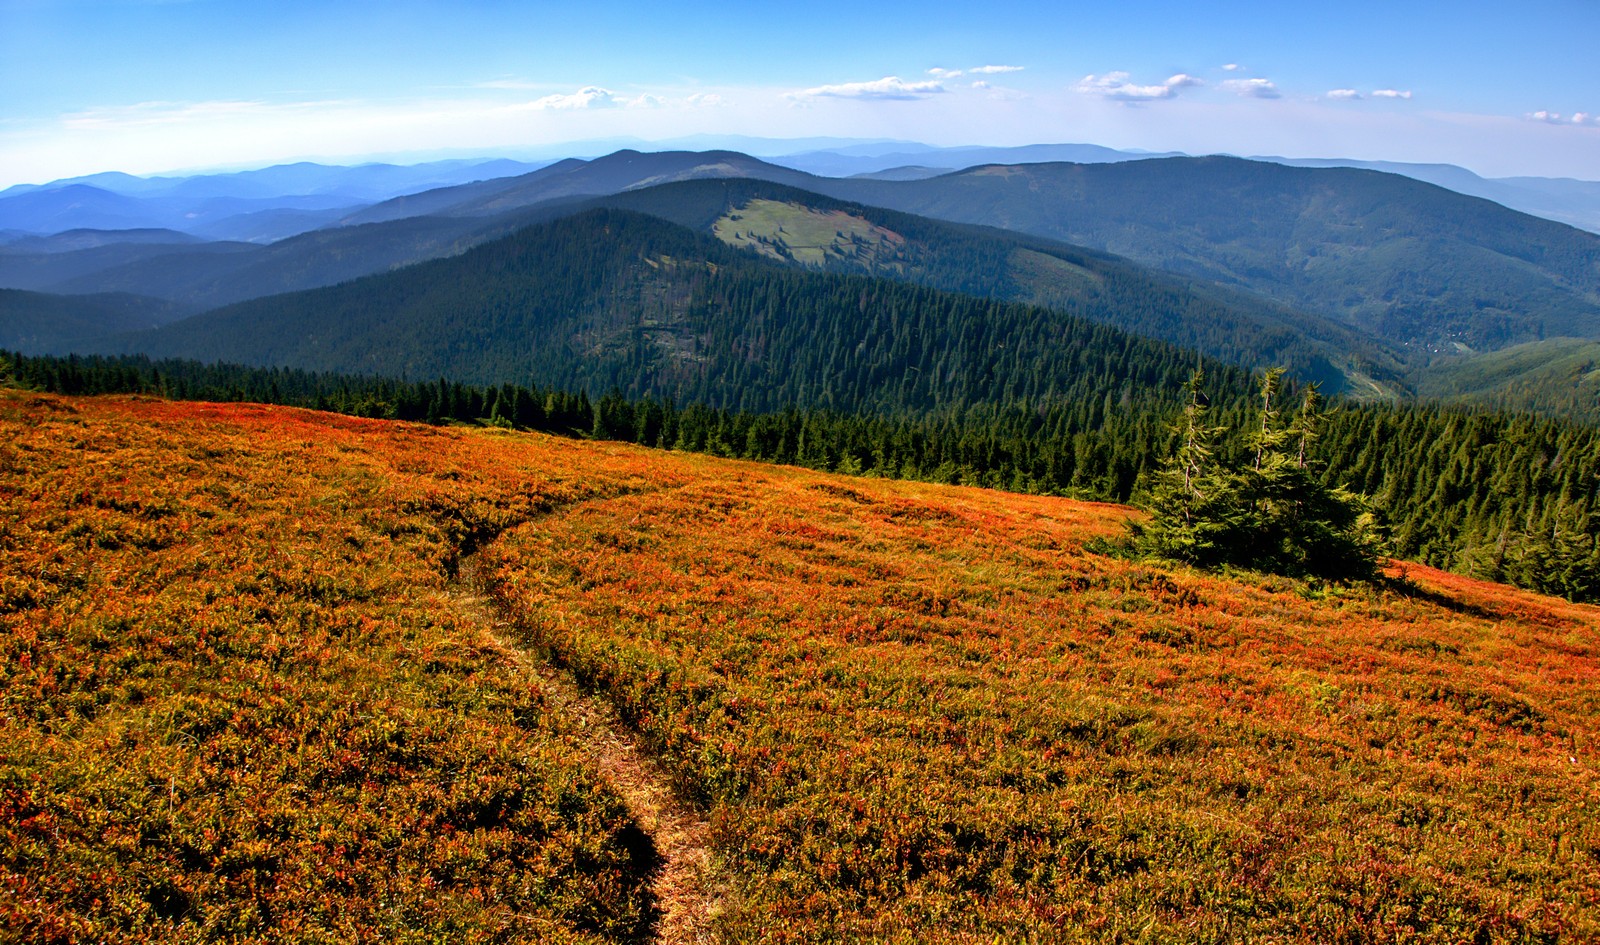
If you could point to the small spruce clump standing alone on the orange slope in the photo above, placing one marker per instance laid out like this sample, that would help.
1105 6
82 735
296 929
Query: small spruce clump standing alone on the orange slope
1270 512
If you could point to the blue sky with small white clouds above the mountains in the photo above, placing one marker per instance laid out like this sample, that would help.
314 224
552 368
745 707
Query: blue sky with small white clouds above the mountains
159 86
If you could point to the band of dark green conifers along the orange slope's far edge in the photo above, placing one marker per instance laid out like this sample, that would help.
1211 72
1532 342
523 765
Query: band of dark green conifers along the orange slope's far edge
1513 498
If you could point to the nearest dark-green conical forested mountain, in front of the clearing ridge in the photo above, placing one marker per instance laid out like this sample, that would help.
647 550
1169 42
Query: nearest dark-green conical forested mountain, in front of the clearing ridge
618 300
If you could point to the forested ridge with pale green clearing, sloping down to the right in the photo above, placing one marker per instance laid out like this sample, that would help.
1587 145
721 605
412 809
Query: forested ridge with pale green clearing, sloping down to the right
818 233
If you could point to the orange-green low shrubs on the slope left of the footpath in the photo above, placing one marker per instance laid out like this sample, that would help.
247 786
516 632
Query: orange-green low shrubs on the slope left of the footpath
238 703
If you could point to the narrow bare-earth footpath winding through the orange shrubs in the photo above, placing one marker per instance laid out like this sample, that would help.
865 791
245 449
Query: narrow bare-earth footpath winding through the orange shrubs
682 887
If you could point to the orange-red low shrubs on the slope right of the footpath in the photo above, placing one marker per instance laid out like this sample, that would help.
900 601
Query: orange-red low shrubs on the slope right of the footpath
922 714
